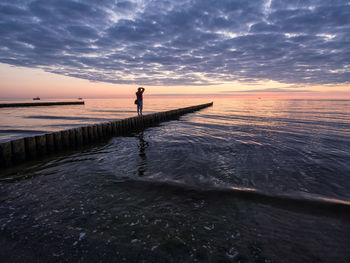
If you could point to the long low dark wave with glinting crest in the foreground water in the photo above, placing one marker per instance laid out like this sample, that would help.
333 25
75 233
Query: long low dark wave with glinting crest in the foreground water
300 201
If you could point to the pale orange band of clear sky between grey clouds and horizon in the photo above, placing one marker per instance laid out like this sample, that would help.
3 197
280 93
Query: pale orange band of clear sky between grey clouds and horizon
26 83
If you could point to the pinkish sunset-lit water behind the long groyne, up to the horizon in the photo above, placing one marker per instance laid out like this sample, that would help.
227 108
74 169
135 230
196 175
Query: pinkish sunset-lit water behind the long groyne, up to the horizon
21 122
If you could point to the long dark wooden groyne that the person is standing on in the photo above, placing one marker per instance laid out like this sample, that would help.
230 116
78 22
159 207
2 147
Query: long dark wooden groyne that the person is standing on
29 148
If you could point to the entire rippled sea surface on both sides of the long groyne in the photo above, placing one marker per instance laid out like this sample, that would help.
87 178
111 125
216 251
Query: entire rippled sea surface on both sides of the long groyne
247 180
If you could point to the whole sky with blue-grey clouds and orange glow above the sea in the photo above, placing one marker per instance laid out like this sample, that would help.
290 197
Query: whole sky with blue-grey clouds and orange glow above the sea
88 48
